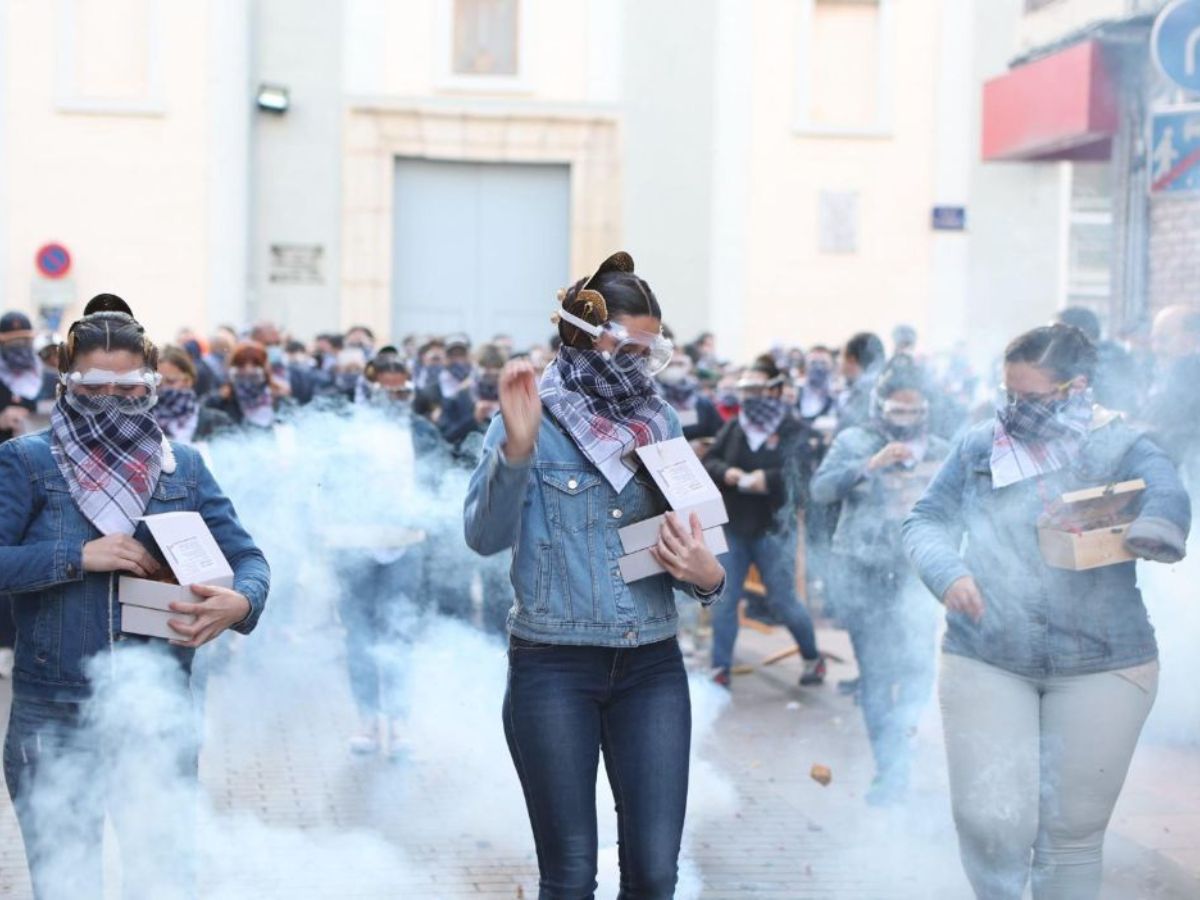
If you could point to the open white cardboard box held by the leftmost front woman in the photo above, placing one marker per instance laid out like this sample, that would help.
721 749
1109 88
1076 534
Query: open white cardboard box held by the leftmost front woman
194 557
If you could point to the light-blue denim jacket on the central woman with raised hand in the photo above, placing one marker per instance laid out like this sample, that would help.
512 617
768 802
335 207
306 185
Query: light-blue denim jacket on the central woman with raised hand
560 517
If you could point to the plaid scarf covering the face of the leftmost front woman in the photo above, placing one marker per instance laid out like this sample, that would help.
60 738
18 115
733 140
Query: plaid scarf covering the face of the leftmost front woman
111 463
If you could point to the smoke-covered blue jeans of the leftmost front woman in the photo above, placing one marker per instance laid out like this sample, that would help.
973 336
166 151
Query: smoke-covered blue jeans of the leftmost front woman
57 771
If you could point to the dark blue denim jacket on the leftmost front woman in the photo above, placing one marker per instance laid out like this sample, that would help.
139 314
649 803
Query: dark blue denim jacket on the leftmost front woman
64 615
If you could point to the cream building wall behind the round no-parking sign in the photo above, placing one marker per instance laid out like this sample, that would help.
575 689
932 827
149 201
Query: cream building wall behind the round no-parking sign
109 130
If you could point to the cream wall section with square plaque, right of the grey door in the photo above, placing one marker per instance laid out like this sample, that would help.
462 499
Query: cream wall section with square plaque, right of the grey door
796 291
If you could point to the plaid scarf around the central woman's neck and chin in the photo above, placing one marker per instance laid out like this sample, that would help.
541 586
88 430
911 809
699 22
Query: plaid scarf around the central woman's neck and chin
608 413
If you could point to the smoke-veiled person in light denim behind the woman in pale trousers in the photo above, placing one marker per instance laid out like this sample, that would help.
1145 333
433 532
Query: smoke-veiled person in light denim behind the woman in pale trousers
877 473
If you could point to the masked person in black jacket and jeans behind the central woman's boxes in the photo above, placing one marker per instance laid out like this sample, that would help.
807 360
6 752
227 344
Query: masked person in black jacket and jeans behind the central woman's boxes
763 461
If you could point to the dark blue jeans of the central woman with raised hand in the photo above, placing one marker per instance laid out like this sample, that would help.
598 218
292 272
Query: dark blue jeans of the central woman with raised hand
565 706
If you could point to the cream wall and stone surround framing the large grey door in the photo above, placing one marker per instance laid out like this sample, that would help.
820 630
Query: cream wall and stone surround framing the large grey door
403 100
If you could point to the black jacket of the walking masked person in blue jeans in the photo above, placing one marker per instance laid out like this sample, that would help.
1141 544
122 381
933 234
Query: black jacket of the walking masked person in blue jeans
788 460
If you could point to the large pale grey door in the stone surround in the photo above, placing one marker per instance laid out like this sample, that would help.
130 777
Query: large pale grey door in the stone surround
479 248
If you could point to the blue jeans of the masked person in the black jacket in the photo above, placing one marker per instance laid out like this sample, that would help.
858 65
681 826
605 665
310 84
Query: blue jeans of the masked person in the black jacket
775 555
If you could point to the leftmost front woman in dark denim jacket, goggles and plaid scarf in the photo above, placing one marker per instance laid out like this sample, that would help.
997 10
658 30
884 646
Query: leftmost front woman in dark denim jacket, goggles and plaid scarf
69 529
